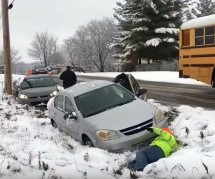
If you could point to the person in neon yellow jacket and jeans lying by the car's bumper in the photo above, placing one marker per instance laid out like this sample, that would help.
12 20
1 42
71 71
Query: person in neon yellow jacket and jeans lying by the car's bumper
161 147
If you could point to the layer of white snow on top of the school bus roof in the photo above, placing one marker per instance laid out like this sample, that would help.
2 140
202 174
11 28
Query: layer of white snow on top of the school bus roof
199 22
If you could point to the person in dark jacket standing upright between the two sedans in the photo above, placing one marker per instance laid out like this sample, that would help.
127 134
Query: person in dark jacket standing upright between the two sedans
69 78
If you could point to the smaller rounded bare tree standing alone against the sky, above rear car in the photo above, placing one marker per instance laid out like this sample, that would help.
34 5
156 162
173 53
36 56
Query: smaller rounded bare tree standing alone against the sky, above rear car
43 47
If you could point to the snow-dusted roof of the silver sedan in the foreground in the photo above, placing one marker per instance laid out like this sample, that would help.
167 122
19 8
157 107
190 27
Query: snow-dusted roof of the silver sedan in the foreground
85 87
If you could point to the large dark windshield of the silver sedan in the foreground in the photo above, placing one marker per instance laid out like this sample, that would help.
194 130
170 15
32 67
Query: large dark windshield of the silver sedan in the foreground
103 99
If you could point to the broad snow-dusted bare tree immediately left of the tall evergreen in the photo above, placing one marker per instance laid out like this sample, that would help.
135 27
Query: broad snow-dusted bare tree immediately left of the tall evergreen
90 44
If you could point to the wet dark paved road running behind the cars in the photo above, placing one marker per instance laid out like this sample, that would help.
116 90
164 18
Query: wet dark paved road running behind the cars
171 93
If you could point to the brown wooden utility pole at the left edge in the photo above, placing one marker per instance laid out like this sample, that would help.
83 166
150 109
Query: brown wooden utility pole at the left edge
6 48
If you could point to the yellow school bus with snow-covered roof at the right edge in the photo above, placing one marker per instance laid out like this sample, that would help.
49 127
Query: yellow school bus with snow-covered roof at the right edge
197 49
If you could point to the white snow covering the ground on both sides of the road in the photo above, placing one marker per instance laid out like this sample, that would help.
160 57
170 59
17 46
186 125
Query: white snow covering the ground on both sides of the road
31 148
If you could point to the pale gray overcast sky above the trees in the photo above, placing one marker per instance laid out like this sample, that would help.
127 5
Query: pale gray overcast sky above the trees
58 17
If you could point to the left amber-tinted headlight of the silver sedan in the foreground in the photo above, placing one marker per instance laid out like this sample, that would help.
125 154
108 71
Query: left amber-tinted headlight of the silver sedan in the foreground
107 134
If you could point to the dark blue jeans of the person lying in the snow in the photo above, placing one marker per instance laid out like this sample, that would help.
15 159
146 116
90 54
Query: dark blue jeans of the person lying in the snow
146 156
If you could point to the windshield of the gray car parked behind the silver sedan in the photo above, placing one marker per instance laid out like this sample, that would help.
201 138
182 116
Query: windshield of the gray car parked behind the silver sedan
37 82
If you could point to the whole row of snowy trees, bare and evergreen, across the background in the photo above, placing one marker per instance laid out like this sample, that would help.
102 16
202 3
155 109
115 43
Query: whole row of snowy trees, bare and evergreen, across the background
142 31
